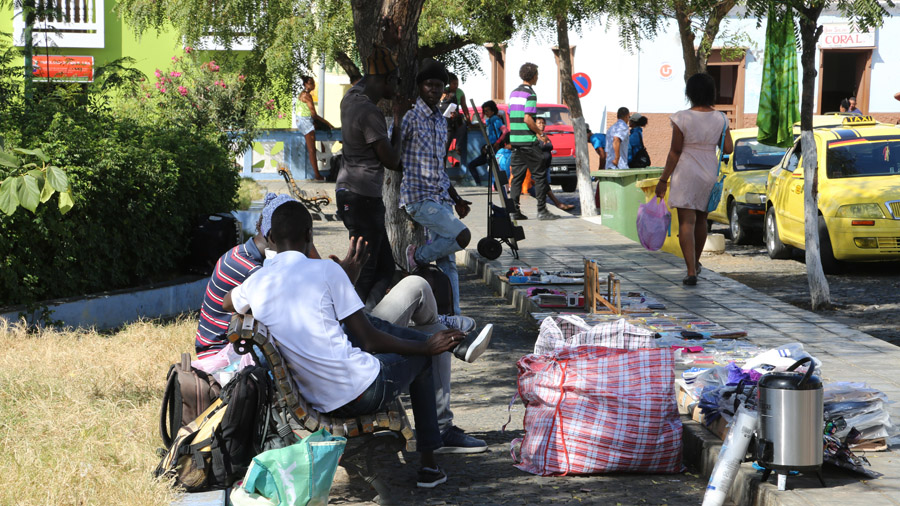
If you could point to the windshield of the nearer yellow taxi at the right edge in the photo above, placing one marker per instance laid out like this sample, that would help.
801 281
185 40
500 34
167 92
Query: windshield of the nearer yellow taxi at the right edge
863 158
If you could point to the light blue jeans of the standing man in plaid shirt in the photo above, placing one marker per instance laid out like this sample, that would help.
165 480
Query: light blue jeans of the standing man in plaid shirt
443 228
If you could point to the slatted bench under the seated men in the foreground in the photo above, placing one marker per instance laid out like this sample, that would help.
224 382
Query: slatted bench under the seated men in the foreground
249 335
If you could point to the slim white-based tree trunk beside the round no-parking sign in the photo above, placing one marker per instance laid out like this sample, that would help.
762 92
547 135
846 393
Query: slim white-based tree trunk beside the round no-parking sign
570 97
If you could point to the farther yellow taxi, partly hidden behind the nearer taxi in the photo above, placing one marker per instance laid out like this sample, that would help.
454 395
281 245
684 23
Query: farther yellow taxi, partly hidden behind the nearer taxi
743 203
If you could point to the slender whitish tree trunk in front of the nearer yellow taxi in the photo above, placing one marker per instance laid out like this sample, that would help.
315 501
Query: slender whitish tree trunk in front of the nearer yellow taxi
819 293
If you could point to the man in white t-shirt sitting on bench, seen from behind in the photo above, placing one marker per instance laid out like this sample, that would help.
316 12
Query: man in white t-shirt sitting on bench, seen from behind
304 302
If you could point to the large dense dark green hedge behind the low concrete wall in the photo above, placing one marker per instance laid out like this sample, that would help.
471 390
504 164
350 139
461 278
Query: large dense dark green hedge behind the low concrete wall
138 191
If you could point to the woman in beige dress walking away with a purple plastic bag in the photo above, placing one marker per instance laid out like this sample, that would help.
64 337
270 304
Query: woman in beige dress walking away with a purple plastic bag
693 165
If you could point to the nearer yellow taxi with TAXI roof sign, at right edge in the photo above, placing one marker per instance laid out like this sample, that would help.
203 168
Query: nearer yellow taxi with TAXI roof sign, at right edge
859 195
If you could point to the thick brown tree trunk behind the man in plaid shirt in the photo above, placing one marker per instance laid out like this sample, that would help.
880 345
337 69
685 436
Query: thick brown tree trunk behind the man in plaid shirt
368 16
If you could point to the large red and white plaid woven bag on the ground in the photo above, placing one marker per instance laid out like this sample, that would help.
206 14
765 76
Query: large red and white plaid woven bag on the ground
591 409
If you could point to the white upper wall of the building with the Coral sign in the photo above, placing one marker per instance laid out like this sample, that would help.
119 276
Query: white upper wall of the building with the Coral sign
634 80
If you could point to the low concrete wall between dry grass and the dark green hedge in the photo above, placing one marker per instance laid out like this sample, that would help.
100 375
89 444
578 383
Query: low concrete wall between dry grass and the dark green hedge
114 309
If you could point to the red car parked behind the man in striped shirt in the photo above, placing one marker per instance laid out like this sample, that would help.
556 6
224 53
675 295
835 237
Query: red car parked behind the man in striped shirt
561 133
